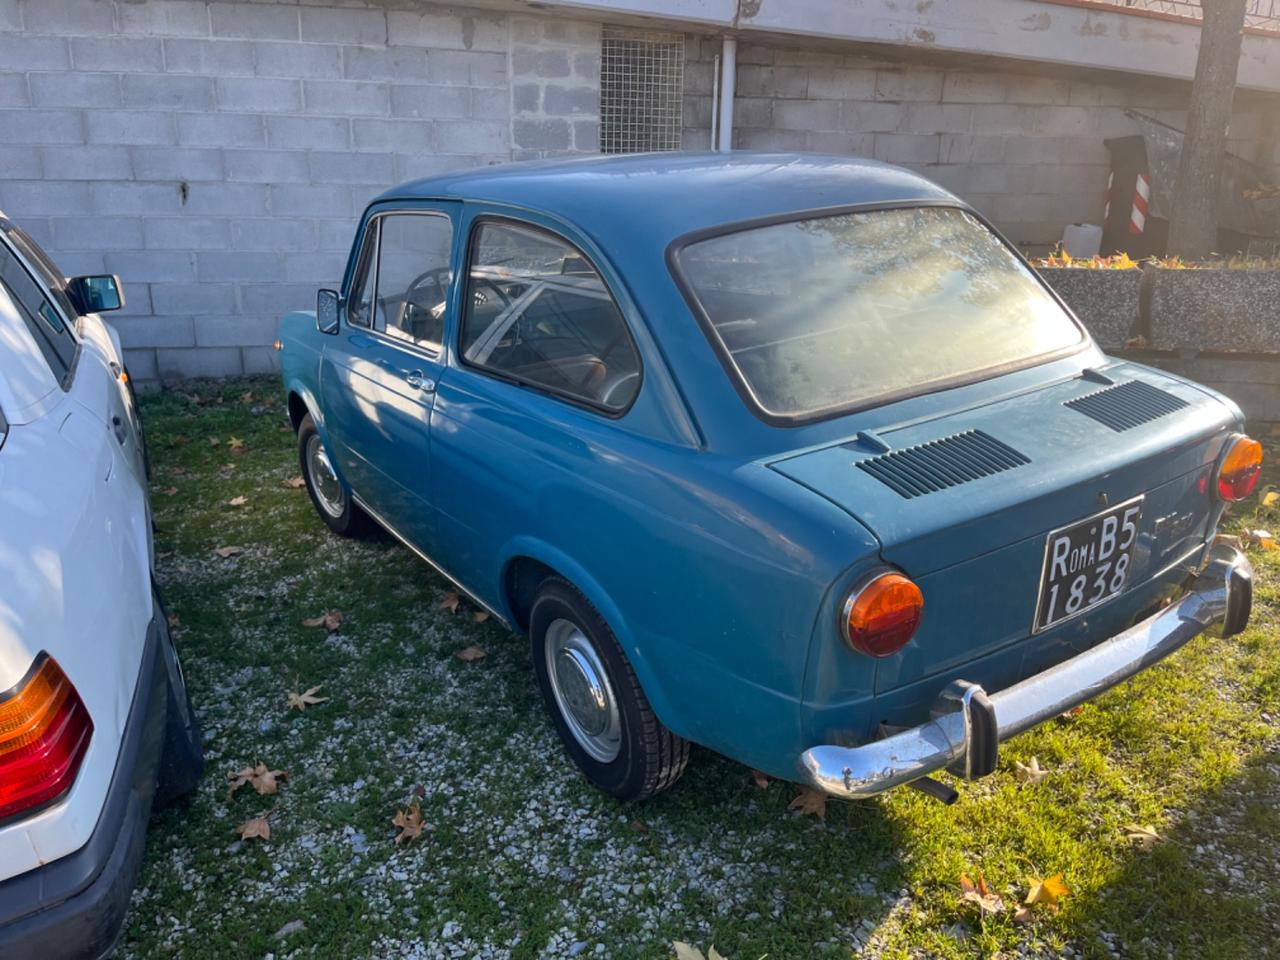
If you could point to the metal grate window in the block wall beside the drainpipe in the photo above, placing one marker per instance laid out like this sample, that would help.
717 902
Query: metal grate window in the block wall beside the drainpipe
642 90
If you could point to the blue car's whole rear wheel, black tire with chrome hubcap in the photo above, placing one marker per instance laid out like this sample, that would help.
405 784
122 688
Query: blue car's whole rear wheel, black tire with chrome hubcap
596 701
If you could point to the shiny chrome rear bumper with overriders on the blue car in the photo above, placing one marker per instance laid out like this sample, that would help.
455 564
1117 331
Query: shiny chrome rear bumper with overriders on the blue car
968 724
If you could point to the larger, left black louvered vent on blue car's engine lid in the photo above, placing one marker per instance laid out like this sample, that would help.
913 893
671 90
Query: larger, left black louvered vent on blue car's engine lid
938 465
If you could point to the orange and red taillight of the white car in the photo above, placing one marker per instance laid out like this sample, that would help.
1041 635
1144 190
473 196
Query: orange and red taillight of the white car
44 734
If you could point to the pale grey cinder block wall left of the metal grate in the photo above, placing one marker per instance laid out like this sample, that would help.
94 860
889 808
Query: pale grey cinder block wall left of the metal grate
217 154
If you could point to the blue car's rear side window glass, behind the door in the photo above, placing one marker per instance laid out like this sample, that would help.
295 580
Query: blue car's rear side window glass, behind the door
540 313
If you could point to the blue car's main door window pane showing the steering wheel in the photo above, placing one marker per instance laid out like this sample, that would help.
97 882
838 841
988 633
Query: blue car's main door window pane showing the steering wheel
414 255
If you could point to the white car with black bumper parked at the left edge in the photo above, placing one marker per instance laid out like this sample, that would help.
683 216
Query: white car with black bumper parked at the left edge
95 721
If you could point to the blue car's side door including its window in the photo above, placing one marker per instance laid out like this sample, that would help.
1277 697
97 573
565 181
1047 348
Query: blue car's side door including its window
380 376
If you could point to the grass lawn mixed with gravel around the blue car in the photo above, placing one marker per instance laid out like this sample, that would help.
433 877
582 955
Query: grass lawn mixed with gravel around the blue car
523 860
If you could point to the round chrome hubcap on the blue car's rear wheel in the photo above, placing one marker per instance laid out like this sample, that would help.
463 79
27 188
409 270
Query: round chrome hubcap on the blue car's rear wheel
583 693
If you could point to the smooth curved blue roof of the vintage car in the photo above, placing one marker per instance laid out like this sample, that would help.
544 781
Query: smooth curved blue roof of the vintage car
665 196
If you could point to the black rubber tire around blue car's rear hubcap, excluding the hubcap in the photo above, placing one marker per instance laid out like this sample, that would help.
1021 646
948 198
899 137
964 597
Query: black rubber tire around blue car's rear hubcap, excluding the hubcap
651 758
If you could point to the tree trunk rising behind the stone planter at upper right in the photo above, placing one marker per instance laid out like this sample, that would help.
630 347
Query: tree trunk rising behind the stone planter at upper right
1194 225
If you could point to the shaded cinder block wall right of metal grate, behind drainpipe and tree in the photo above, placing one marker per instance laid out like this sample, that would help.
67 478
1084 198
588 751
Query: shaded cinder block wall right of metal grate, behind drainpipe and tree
1027 150
